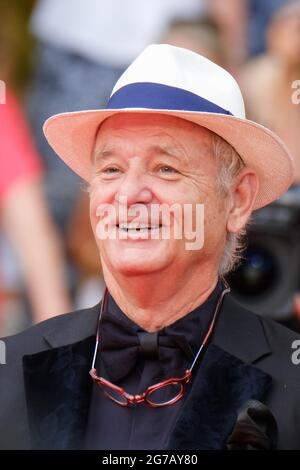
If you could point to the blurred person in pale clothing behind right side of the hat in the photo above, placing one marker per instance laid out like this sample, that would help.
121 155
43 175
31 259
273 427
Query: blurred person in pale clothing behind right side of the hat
267 80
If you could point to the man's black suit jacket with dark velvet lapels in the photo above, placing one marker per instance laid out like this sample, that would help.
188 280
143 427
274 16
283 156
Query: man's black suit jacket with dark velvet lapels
45 385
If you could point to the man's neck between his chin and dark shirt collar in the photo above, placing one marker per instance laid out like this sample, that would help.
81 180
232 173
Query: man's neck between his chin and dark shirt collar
154 301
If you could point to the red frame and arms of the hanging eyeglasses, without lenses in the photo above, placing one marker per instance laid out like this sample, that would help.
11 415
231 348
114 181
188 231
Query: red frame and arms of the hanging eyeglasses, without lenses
143 398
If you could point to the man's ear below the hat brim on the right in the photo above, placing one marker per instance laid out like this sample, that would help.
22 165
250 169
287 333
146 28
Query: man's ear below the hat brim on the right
243 195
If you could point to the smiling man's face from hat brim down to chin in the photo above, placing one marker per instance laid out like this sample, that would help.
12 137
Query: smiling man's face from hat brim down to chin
142 161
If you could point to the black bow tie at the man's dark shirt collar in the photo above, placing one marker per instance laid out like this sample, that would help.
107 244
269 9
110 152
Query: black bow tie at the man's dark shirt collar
121 344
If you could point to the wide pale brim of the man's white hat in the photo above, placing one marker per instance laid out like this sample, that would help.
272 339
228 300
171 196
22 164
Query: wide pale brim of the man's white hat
72 136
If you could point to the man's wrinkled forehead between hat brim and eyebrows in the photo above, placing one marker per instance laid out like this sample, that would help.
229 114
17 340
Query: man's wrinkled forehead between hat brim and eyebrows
155 134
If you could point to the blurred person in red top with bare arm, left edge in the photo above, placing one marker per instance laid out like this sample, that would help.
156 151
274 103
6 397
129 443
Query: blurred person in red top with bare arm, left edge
24 217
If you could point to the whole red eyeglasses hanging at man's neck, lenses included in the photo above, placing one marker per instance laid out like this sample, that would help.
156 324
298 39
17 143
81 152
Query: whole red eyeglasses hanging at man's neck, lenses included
161 394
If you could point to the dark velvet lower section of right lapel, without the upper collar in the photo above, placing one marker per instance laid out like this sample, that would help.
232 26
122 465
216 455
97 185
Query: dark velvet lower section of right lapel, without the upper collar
222 385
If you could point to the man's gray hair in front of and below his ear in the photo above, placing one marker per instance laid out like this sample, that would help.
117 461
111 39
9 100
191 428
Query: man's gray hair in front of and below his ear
230 164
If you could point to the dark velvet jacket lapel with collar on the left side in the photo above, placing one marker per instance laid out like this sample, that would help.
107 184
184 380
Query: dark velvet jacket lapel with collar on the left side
58 386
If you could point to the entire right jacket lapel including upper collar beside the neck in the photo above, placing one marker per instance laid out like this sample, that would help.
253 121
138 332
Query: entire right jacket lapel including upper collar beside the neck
224 382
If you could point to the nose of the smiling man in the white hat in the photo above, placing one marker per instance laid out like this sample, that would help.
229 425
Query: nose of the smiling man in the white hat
133 190
